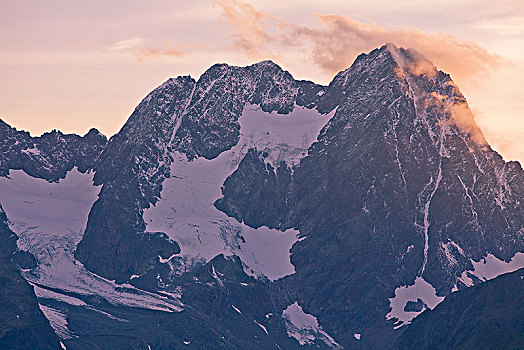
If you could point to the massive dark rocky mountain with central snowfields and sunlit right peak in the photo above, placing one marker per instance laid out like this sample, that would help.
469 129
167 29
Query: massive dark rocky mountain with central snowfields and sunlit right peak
263 211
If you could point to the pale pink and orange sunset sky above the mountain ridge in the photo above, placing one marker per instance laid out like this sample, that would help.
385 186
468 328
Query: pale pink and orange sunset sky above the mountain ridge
72 65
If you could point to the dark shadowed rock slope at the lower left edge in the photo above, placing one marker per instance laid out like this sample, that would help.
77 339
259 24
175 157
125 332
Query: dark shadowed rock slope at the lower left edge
22 324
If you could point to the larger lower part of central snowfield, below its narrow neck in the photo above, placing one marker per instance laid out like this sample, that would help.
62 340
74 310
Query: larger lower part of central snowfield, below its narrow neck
186 212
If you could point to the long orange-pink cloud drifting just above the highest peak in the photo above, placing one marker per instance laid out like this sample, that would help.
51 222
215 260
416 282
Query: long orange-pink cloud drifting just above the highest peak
334 41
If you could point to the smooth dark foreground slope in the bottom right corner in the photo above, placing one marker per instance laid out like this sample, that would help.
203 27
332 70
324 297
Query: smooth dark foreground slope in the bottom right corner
486 316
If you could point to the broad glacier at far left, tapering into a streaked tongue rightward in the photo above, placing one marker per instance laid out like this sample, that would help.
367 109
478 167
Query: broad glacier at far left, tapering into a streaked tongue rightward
49 219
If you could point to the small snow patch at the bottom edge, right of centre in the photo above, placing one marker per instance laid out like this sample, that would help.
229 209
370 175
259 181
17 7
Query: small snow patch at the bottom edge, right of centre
305 328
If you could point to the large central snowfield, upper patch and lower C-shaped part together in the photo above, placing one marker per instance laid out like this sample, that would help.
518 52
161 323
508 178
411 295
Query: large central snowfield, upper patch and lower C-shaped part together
186 210
